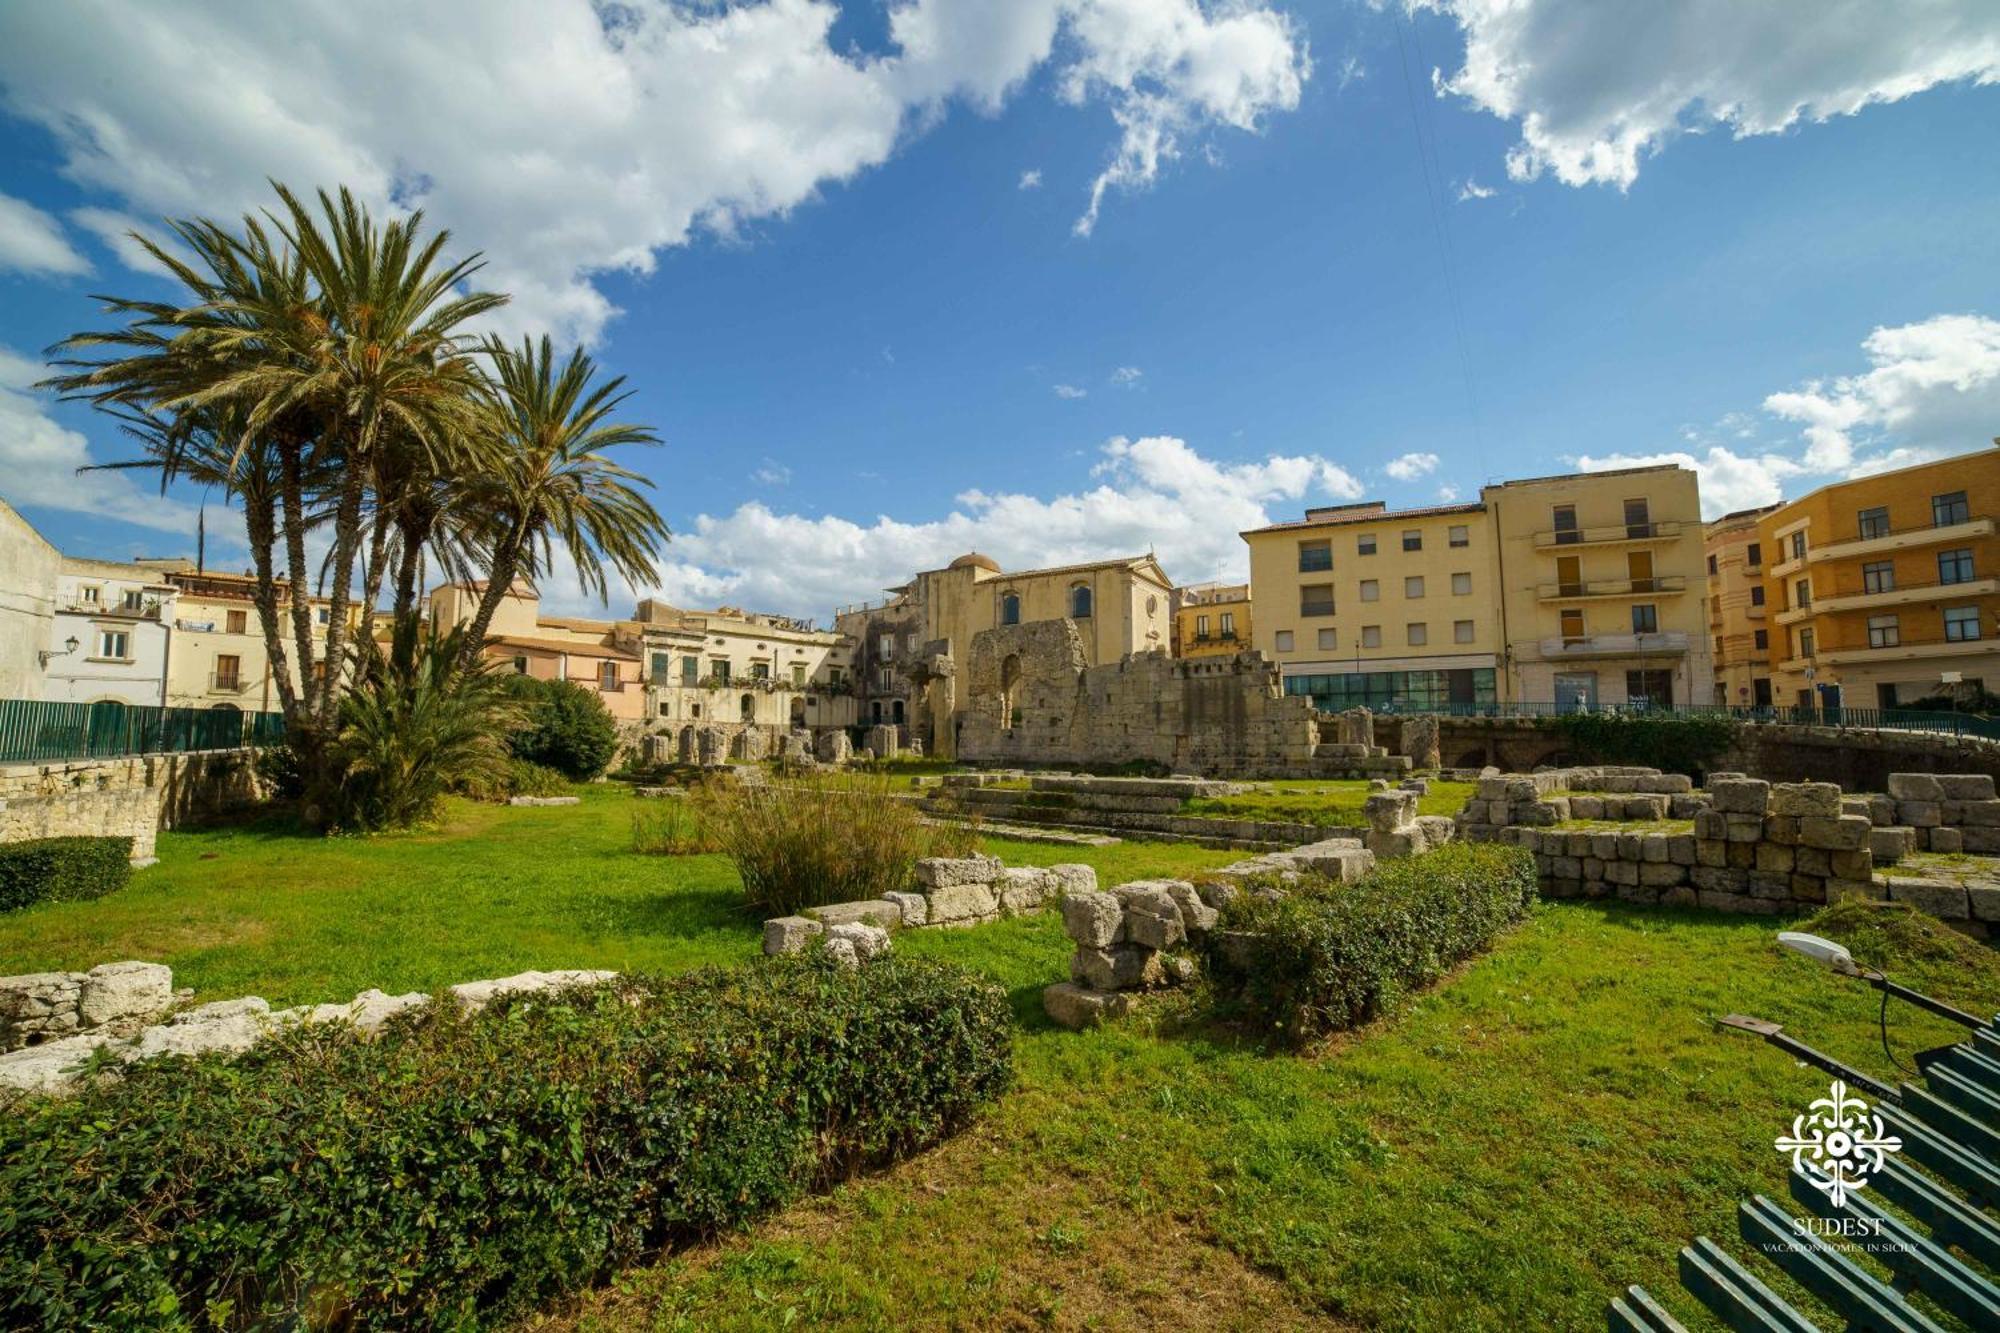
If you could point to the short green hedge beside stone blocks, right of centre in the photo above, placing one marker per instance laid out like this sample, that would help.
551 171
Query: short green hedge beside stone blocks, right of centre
1329 958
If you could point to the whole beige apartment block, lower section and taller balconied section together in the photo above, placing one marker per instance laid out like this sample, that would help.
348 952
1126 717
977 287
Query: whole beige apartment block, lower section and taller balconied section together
1579 591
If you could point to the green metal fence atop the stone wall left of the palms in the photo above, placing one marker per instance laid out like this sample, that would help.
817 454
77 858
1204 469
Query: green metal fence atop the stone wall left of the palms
39 732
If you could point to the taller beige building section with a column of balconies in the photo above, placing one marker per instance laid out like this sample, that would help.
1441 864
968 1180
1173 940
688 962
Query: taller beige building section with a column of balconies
1603 587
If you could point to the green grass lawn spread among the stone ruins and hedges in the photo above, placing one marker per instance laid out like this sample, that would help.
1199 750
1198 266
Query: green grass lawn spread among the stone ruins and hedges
1503 1152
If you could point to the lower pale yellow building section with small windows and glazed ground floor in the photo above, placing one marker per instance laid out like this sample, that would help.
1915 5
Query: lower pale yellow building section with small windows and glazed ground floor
1363 605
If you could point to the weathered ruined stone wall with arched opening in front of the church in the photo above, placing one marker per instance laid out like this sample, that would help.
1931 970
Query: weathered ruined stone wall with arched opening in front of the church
1029 698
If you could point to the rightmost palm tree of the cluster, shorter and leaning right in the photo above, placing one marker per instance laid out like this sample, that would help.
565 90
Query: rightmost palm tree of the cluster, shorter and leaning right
553 485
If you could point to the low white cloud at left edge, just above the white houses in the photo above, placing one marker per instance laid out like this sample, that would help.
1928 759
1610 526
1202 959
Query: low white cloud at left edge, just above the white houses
39 461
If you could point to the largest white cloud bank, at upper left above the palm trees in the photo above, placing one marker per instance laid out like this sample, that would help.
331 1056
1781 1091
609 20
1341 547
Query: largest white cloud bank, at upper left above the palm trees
569 139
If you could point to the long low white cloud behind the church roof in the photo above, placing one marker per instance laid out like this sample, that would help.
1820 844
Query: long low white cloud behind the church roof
1145 495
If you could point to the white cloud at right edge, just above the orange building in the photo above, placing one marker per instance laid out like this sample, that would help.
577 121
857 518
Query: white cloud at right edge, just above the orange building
1931 391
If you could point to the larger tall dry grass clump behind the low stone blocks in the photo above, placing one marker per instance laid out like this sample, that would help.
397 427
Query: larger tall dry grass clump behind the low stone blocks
813 842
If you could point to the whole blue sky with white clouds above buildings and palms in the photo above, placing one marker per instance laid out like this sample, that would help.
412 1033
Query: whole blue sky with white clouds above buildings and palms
871 345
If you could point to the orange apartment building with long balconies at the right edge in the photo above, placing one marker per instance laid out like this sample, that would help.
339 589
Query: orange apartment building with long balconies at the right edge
1887 589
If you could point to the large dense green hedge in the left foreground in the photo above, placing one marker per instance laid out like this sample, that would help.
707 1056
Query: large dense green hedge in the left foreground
467 1170
